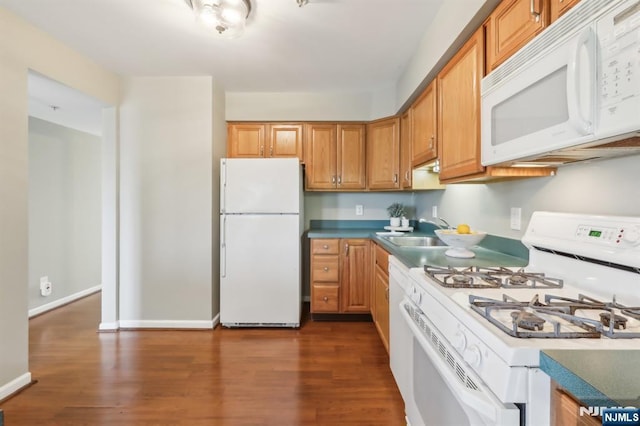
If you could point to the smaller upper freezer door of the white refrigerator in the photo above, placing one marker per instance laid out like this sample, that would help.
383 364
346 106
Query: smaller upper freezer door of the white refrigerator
252 185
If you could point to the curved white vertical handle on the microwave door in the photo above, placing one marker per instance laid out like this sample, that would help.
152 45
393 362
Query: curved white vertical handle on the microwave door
574 99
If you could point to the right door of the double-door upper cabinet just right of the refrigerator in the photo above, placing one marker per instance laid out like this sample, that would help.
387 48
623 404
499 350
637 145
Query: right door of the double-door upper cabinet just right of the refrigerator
351 152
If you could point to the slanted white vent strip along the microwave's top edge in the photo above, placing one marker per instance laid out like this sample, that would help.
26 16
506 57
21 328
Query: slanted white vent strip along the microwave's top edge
576 18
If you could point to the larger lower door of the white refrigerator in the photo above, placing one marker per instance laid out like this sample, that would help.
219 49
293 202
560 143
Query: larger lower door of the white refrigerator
260 276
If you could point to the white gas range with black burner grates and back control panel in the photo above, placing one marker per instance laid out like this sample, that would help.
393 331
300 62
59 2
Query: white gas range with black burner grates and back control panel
581 289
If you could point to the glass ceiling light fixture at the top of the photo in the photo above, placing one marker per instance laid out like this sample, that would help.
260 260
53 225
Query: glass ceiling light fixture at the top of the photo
227 17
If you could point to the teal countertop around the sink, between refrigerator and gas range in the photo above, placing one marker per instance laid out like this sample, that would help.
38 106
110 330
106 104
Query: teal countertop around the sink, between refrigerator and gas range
492 251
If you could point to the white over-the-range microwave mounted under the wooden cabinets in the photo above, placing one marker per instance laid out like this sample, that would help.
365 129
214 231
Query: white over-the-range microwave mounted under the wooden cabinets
572 93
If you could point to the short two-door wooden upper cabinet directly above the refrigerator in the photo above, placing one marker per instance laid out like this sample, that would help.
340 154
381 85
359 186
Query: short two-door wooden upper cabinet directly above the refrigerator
264 140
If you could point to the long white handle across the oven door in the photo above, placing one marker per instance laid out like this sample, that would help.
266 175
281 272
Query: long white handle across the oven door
480 405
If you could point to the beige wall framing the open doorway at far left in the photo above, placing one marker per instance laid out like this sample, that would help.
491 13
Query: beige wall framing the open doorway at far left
23 47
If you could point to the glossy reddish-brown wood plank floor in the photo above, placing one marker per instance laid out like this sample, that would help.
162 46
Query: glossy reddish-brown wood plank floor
325 373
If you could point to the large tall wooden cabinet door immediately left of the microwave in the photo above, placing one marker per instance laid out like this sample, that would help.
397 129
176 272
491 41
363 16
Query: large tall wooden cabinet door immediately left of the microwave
459 111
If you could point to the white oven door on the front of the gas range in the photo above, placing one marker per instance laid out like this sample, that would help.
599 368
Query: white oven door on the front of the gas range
444 390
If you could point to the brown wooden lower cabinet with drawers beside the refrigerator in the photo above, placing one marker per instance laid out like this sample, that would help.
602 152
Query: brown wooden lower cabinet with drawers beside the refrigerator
340 276
